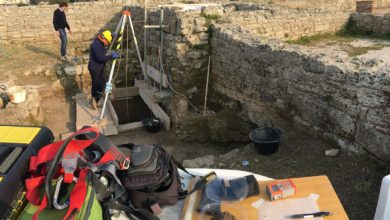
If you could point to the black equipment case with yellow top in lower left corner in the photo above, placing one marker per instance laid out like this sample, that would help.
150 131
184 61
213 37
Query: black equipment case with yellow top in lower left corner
17 145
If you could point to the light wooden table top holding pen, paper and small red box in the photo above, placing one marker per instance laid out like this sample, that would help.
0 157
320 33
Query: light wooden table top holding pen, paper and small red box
328 200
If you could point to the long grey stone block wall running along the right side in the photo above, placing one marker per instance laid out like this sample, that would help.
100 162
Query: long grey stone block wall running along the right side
344 102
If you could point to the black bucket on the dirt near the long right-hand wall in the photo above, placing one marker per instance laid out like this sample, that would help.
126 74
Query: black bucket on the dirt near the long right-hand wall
266 140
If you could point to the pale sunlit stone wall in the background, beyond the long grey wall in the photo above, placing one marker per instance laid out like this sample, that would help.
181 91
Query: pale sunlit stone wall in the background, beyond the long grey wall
286 23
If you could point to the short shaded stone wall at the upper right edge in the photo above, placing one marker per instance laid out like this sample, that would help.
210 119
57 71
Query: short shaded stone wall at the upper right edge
369 23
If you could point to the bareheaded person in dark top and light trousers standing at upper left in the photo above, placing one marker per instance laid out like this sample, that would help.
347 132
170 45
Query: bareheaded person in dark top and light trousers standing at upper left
60 23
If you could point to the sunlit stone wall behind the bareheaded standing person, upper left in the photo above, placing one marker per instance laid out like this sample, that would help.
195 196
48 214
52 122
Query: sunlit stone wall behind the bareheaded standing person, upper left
34 24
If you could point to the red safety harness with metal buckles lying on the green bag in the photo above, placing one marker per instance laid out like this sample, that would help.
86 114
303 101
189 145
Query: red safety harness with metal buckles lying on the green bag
65 161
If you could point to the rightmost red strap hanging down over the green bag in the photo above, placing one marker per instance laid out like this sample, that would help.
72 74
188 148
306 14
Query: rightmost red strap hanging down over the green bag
77 196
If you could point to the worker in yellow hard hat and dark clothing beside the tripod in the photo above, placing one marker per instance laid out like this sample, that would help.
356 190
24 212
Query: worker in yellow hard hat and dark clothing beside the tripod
97 61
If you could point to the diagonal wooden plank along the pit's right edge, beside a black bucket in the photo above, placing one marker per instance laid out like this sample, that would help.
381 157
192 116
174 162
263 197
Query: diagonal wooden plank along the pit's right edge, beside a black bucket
154 107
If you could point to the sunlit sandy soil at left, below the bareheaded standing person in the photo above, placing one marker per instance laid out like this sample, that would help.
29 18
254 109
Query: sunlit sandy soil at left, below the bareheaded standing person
58 107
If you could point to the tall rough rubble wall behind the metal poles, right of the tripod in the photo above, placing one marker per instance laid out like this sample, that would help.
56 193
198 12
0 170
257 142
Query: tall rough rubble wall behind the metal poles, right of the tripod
186 45
